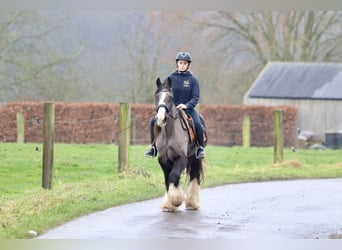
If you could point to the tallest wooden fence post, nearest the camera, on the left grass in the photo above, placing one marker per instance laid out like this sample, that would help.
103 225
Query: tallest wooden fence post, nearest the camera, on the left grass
48 146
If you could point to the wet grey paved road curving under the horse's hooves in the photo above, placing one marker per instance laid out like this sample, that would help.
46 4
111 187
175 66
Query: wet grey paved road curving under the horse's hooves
299 209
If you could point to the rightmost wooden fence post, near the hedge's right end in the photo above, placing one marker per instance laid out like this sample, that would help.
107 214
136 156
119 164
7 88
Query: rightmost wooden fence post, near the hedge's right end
278 135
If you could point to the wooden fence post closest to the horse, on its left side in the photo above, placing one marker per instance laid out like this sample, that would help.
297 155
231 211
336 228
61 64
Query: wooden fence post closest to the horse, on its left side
124 136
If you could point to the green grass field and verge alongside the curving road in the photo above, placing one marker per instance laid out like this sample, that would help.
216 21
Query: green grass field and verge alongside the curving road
86 179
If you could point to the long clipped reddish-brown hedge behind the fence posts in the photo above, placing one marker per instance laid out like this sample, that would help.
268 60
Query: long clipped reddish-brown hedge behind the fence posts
99 123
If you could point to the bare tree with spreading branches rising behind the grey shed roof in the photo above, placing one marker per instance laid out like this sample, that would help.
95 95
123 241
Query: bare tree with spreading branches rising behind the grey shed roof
279 36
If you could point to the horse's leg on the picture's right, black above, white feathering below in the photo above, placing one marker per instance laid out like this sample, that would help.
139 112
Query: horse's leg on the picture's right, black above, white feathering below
192 200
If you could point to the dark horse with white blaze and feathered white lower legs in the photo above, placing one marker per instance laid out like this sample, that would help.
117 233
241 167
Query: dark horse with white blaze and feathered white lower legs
176 152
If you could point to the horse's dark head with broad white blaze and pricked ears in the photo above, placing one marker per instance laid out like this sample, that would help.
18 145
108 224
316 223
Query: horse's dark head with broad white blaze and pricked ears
164 100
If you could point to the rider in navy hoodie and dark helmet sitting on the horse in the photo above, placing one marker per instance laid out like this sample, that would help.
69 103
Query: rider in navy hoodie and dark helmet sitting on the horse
186 94
